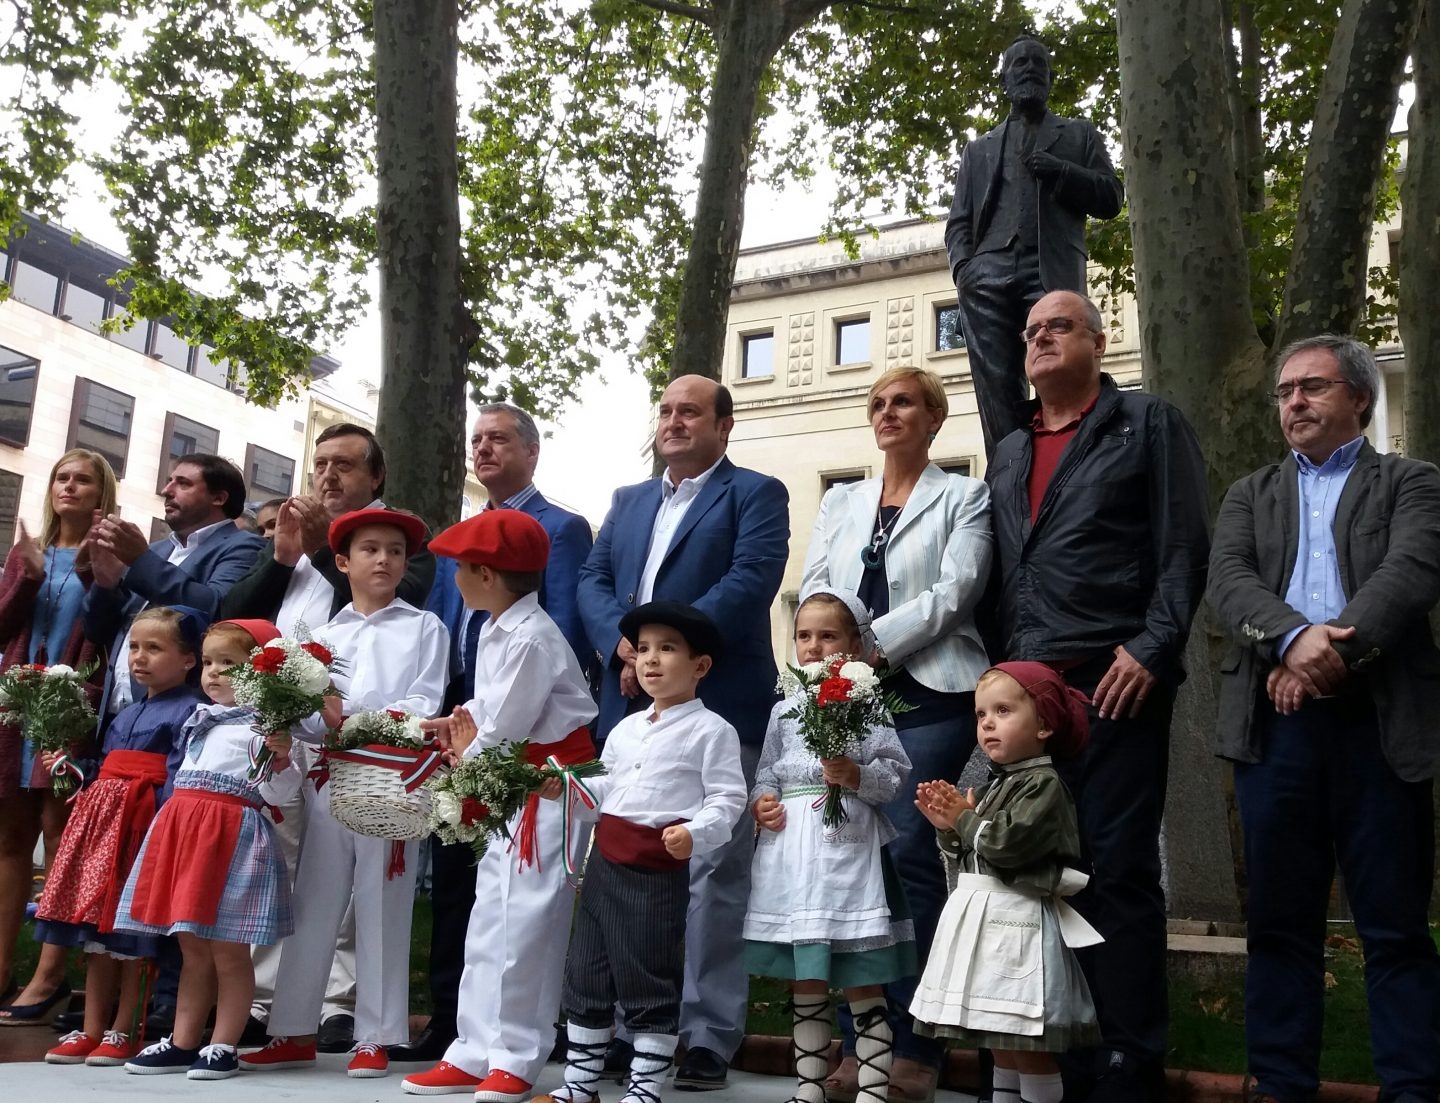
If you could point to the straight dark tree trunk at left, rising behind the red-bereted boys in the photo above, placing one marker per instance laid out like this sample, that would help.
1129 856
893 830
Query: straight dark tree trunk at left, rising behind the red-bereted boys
426 332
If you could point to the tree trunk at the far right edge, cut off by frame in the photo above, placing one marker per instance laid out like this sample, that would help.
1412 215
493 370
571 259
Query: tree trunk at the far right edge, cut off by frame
1421 271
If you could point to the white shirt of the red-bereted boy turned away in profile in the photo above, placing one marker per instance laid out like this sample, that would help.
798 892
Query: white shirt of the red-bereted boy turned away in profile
528 680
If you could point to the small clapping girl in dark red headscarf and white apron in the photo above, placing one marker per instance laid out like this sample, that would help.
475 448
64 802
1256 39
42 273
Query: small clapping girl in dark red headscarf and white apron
1002 973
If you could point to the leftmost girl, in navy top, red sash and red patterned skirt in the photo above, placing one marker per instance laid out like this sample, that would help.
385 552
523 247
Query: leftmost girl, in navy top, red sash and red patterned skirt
140 752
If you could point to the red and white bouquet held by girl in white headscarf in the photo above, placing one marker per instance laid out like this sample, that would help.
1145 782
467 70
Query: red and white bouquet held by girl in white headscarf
840 702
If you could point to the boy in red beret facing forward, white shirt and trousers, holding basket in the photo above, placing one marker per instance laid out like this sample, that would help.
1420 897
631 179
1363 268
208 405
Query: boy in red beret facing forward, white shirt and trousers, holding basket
390 656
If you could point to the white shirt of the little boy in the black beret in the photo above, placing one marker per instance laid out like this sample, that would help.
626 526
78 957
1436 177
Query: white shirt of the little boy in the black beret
680 765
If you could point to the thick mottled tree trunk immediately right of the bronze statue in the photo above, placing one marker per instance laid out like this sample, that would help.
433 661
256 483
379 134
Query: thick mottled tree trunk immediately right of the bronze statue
1200 351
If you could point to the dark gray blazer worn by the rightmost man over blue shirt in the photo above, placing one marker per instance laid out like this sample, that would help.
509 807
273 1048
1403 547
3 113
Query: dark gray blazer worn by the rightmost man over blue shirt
1387 542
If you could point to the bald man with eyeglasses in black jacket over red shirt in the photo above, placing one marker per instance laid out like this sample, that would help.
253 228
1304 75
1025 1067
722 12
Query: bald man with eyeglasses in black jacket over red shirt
1099 512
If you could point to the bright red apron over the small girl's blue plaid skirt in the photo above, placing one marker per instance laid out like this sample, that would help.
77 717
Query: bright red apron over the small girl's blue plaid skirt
182 879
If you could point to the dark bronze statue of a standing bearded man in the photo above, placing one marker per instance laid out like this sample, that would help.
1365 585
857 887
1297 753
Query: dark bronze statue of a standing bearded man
1017 228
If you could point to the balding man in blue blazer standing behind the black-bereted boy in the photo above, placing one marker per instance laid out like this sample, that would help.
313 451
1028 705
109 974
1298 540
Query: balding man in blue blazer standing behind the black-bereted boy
714 536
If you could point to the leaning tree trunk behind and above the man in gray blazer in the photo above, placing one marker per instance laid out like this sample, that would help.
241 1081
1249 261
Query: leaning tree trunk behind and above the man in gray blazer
1326 290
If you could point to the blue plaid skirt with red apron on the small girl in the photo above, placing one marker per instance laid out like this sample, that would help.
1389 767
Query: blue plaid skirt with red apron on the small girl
256 905
